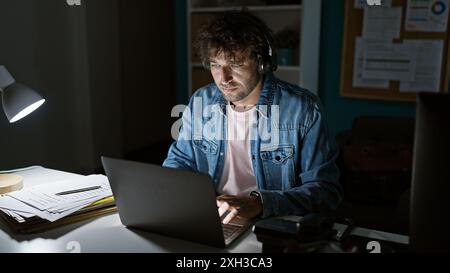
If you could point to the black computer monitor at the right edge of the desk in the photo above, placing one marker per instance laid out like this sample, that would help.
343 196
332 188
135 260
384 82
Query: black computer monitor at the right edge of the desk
430 189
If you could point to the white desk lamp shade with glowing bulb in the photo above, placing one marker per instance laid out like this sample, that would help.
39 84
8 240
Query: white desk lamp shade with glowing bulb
18 100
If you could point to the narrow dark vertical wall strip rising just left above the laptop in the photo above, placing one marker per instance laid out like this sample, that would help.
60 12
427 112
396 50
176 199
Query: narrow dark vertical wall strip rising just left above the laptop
103 42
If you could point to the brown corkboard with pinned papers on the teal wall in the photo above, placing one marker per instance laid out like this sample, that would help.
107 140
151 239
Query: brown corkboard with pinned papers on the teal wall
396 50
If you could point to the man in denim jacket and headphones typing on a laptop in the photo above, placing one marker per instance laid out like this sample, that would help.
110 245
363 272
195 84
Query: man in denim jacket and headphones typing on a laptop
268 149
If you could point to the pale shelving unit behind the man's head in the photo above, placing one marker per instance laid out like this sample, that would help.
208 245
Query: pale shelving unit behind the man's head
303 16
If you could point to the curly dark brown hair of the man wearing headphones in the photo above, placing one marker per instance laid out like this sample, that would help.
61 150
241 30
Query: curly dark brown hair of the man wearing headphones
231 32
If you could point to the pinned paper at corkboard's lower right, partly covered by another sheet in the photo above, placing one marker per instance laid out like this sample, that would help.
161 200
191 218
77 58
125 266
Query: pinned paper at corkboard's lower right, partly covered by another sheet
428 67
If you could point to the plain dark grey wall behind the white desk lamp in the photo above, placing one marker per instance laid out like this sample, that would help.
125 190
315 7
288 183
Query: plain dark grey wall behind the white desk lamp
58 50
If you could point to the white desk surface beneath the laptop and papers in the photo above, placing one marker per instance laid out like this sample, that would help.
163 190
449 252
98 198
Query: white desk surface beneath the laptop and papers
107 234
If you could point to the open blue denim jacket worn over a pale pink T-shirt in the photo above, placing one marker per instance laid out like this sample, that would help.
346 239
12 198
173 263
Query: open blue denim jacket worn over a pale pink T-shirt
293 155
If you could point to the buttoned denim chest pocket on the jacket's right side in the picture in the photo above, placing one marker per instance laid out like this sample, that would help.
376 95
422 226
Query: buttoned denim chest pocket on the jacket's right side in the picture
278 165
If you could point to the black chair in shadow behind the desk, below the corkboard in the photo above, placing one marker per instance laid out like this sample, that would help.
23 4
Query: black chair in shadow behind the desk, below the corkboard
375 162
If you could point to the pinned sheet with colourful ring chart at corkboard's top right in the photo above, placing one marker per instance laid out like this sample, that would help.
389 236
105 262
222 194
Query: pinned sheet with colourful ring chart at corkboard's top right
427 15
